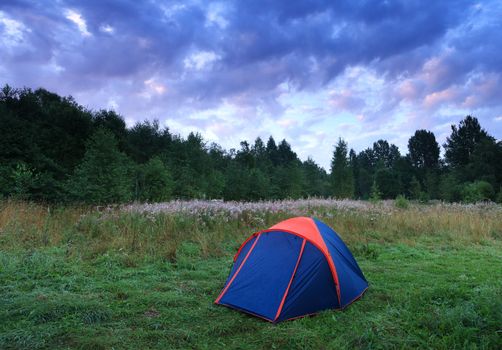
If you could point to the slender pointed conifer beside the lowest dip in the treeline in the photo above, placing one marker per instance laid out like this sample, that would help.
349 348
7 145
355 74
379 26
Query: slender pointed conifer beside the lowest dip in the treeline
342 177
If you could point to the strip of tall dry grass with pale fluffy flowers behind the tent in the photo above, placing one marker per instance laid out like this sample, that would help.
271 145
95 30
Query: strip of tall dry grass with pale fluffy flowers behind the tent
140 230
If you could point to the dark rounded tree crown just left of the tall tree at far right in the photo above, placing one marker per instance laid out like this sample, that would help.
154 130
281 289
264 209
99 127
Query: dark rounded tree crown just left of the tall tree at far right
423 150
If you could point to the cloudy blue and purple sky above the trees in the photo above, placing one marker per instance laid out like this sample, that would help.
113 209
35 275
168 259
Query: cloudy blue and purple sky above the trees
307 71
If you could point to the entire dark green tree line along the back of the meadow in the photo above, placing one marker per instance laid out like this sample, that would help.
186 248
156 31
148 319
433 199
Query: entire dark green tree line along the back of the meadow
52 149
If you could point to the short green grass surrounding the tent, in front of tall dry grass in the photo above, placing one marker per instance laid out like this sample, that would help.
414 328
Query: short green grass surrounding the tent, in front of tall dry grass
426 291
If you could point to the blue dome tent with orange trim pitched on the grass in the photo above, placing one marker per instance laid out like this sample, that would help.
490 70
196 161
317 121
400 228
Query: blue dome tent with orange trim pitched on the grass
297 267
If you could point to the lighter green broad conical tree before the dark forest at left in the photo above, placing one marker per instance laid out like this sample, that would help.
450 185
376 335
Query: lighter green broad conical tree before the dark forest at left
104 176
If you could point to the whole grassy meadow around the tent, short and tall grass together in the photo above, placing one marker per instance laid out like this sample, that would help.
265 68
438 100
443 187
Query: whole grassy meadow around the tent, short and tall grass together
146 276
